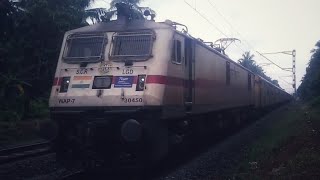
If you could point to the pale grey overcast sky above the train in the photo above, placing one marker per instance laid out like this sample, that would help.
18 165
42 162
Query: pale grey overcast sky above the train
261 25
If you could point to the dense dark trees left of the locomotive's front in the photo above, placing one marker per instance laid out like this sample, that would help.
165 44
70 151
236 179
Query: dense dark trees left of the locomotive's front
31 34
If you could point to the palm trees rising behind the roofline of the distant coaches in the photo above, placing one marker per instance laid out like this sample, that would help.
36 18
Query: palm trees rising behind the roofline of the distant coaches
248 62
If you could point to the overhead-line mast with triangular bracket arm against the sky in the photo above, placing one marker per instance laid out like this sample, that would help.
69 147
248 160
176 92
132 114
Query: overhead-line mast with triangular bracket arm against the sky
293 69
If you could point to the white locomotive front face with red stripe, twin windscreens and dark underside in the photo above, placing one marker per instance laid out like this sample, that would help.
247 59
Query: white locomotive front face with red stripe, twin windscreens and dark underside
107 92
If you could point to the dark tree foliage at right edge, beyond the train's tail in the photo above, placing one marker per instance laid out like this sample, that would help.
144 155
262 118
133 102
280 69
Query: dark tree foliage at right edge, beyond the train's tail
310 86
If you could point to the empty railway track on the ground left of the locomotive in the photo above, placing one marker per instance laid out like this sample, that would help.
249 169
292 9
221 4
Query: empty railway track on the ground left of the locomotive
25 151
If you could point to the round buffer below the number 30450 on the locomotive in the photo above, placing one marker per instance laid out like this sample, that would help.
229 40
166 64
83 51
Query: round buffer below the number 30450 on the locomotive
131 130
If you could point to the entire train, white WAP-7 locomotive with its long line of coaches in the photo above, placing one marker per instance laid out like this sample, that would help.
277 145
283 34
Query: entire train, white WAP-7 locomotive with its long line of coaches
125 91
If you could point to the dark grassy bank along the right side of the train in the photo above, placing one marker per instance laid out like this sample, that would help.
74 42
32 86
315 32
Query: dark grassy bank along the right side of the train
288 149
